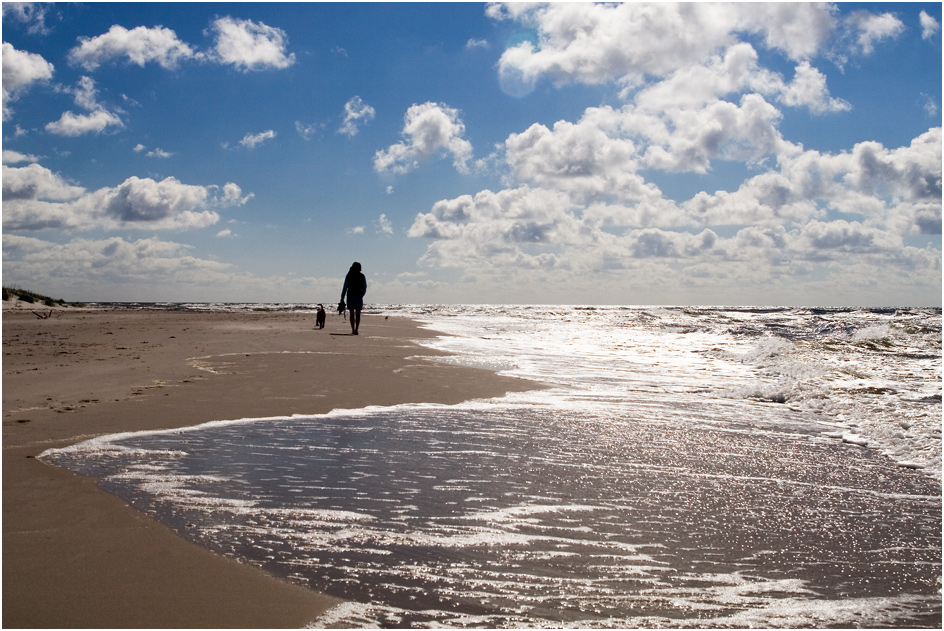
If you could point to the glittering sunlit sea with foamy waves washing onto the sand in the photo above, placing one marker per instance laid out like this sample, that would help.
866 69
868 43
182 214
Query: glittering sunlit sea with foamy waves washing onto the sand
686 467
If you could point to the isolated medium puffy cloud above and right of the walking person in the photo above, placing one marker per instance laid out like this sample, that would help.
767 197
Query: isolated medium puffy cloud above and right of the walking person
429 129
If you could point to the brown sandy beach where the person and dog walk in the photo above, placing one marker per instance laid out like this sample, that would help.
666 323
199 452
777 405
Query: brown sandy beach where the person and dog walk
76 556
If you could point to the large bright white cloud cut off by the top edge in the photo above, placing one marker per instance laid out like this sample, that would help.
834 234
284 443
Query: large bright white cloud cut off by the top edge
624 43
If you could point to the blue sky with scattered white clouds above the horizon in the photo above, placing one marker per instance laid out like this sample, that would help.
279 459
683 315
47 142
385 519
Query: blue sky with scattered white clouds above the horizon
635 154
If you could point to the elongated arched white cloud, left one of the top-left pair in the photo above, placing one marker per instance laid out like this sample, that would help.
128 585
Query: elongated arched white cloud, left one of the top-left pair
139 46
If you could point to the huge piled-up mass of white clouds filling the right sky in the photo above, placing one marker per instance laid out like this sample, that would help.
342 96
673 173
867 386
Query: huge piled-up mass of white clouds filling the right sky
579 201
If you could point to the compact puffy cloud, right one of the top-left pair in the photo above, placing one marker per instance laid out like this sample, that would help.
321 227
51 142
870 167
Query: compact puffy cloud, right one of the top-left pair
249 45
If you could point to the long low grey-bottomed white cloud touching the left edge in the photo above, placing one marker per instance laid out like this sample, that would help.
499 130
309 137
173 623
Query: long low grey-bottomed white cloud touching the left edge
36 198
